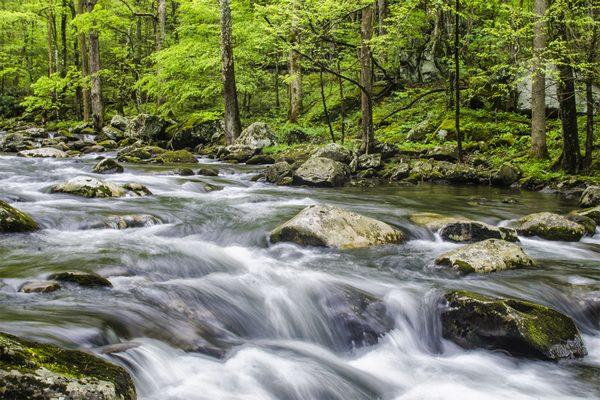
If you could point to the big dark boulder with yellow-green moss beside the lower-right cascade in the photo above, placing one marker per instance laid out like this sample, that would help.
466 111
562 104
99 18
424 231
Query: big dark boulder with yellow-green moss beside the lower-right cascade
518 327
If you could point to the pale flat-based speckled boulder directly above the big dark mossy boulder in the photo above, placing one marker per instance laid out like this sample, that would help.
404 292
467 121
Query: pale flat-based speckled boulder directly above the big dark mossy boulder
490 255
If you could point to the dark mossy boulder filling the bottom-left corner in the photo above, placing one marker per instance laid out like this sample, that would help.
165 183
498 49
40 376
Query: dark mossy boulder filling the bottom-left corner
36 371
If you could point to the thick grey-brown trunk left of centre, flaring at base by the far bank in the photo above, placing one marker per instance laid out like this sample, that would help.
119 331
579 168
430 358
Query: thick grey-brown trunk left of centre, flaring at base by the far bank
233 125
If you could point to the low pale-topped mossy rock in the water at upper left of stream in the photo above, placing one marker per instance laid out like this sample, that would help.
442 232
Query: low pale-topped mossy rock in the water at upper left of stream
87 186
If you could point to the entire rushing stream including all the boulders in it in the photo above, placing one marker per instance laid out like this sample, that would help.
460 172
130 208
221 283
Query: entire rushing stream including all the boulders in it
197 280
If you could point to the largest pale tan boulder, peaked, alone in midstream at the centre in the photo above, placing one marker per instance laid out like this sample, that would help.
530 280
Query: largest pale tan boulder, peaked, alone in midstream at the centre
331 226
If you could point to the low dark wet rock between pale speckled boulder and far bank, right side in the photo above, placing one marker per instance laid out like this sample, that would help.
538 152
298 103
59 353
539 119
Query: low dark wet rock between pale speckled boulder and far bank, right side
474 231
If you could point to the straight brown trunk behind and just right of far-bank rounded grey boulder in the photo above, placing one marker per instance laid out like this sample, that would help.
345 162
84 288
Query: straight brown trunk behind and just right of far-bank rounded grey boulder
366 80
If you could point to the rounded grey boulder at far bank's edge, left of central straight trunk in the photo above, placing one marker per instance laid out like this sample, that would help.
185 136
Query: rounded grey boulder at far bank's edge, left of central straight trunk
320 171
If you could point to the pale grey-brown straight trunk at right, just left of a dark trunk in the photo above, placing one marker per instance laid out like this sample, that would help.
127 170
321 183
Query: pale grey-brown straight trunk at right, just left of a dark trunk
538 86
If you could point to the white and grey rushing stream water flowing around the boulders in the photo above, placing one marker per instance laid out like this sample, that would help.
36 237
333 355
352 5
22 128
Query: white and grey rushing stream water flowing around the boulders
208 309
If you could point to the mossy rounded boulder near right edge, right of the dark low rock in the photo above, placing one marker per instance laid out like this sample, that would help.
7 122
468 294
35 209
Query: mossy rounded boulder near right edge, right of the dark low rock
550 226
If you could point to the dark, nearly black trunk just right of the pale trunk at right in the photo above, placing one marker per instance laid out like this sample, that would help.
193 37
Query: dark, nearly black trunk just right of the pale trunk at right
571 156
